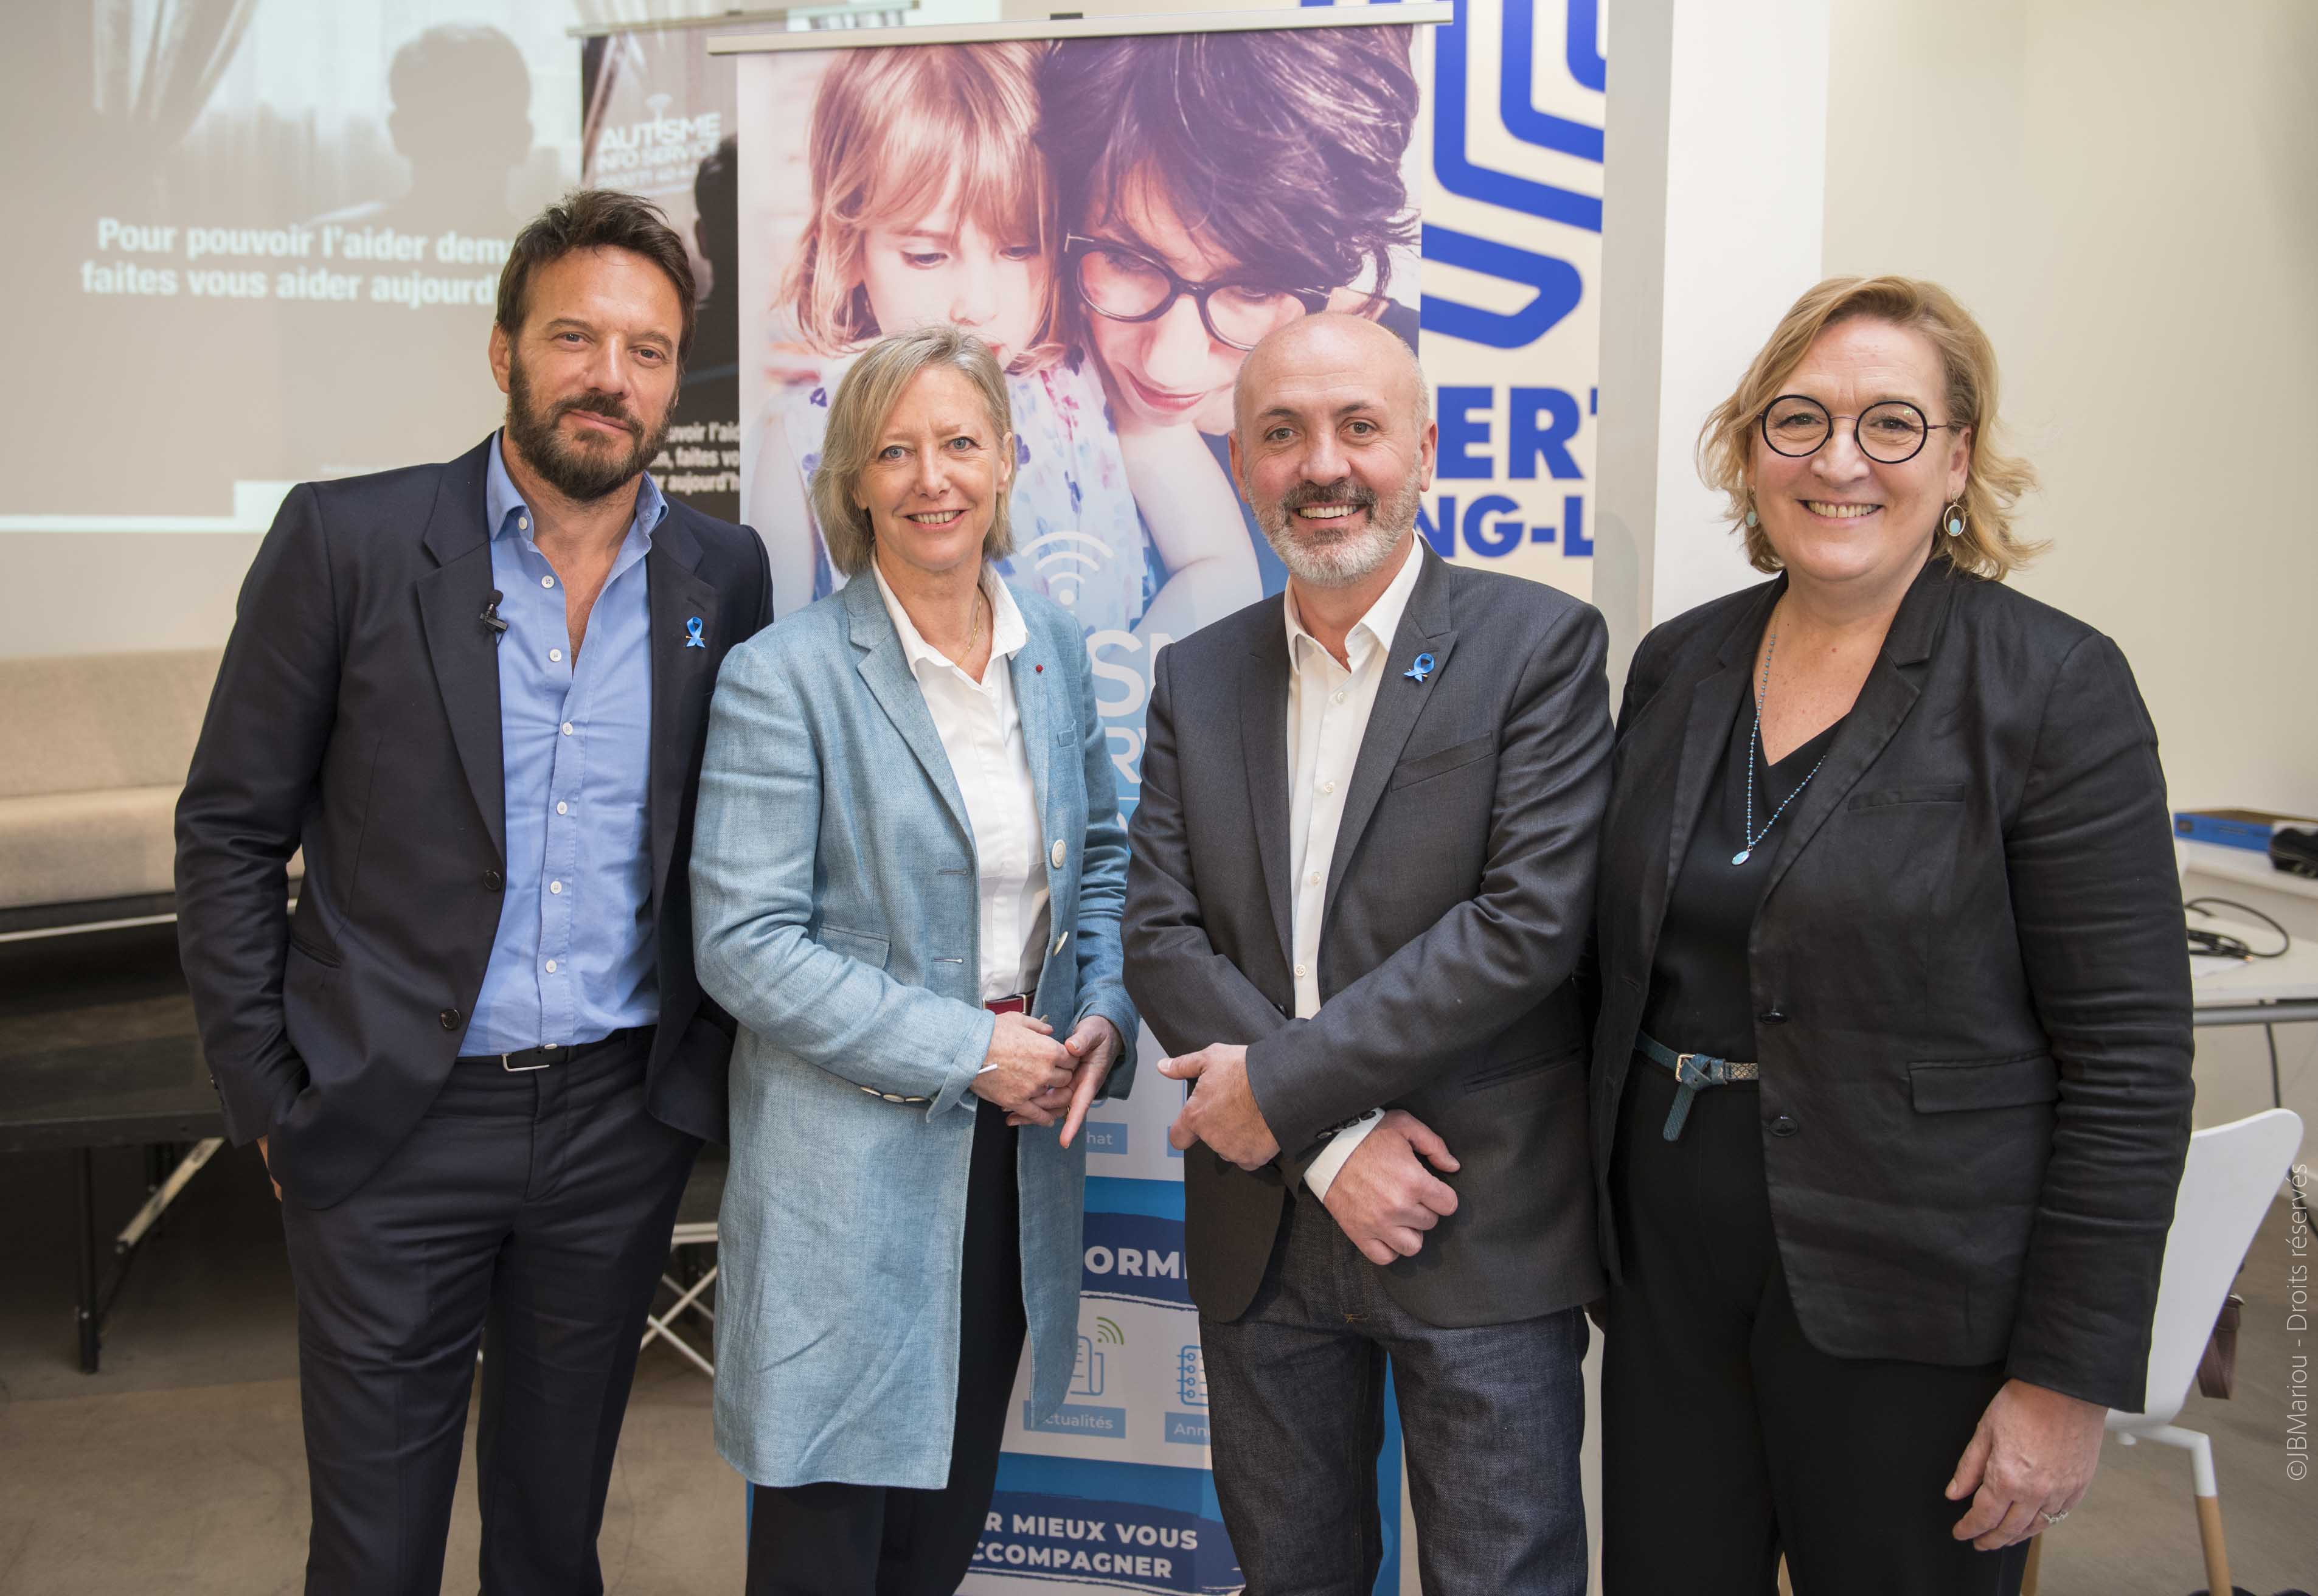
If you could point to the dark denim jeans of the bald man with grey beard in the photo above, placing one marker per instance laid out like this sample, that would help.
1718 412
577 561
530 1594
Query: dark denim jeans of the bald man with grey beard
1489 1426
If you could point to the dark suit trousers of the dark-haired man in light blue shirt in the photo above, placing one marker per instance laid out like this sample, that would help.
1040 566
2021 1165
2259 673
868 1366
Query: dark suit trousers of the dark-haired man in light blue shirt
527 1213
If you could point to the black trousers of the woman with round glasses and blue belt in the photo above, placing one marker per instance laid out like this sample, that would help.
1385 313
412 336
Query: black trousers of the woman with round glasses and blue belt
1726 1435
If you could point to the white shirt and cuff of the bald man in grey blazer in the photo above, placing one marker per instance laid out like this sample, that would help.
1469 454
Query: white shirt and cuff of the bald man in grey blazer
1327 722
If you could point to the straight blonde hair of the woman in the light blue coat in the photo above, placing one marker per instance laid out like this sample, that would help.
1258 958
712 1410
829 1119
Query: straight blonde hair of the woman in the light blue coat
859 411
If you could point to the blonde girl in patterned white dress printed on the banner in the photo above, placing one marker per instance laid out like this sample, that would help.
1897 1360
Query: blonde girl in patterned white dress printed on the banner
931 205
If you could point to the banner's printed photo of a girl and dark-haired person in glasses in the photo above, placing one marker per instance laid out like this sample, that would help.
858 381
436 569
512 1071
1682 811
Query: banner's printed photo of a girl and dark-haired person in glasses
1121 219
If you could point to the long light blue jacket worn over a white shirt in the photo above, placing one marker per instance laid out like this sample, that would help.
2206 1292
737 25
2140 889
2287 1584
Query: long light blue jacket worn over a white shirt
838 921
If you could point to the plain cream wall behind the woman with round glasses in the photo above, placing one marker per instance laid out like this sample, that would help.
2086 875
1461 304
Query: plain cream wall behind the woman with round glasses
2129 200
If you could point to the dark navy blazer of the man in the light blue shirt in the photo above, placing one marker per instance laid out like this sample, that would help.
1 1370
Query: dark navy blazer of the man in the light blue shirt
358 717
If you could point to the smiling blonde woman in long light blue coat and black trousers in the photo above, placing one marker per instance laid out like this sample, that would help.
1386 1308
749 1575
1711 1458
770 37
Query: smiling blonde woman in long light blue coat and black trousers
907 881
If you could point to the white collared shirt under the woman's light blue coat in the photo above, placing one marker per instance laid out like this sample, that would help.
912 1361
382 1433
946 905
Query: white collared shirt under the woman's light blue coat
982 731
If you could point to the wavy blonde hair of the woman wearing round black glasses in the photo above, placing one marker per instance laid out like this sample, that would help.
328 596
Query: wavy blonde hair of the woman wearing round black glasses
1995 481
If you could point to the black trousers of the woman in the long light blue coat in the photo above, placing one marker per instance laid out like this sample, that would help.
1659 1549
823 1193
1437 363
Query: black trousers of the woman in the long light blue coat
836 1539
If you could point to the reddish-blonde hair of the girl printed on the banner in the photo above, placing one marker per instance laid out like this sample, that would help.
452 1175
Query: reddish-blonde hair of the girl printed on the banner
894 133
